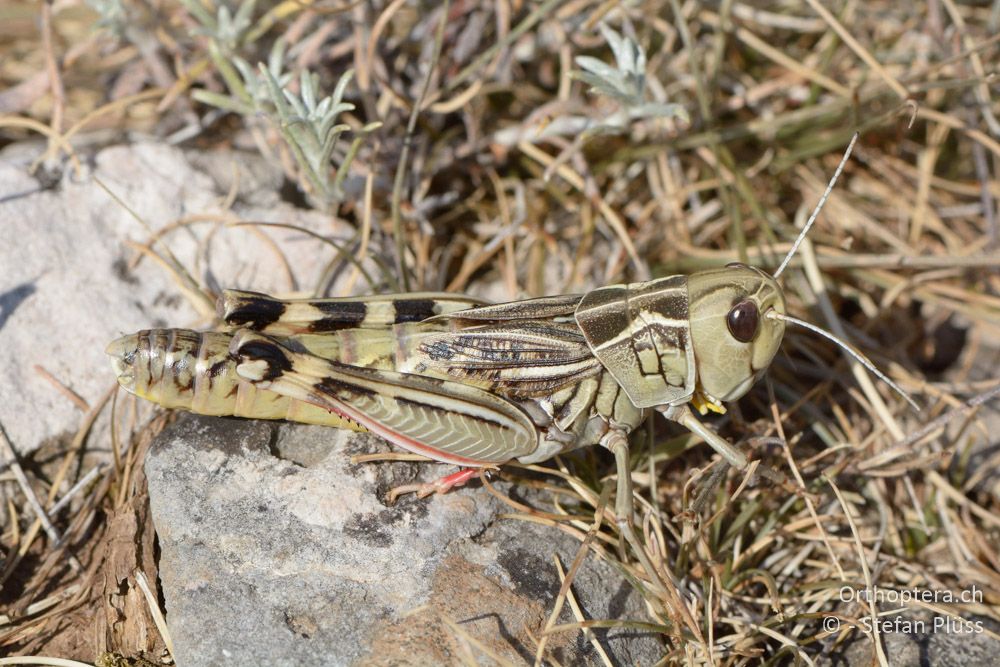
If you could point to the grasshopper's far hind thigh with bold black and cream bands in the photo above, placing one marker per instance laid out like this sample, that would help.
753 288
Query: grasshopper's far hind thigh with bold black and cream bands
260 312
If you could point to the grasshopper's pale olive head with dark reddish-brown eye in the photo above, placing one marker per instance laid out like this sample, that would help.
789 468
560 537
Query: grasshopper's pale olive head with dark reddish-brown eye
734 339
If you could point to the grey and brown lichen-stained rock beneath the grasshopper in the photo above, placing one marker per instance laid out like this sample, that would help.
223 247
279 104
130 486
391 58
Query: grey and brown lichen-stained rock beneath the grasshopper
277 550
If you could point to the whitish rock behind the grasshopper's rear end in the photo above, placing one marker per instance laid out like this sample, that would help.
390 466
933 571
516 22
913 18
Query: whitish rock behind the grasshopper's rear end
69 285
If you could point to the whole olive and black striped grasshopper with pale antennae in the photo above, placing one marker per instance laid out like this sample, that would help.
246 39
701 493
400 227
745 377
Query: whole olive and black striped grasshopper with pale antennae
478 385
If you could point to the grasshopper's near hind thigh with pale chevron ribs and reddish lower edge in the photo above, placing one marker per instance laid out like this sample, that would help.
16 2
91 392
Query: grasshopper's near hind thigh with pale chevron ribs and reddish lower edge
446 420
